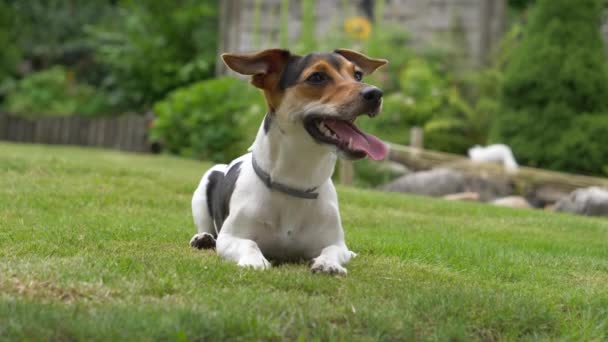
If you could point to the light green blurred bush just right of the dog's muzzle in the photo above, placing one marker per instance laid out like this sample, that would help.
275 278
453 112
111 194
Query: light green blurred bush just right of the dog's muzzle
434 101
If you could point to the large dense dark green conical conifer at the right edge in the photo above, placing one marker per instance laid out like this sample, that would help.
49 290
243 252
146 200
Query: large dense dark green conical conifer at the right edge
556 80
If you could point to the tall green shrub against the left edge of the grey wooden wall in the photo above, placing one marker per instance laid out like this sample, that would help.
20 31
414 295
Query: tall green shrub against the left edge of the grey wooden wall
154 47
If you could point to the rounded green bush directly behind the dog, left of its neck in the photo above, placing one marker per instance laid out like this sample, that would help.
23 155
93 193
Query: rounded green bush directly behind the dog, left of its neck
214 120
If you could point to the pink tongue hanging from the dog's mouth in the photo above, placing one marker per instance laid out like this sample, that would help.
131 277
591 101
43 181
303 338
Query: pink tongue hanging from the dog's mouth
367 143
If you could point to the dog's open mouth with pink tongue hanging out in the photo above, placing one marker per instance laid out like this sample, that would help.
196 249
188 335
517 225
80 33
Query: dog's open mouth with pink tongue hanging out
343 134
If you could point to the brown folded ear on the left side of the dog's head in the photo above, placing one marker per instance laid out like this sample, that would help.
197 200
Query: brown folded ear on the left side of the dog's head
258 65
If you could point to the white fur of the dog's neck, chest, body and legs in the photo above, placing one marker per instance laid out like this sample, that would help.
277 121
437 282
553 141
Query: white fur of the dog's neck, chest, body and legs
265 224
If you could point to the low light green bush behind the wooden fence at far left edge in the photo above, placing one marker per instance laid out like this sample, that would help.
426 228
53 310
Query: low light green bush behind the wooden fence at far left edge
54 91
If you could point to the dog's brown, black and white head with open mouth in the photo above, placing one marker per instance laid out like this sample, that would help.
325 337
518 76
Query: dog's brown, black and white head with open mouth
321 94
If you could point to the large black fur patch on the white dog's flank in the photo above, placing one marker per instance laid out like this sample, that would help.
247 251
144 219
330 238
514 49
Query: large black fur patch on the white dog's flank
219 191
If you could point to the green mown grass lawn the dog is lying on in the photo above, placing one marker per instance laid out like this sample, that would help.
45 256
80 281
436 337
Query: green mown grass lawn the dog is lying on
94 246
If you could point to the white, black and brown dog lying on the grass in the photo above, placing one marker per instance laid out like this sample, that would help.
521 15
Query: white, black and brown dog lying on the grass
278 202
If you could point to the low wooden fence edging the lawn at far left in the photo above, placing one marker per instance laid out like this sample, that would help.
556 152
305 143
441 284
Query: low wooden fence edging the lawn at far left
127 132
